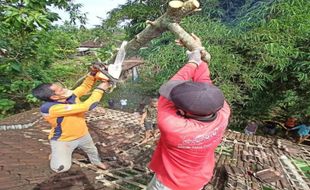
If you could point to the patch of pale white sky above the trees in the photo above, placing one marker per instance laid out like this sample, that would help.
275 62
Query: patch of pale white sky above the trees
94 9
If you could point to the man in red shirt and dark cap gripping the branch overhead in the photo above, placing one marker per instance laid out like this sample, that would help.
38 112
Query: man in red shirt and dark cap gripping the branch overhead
192 118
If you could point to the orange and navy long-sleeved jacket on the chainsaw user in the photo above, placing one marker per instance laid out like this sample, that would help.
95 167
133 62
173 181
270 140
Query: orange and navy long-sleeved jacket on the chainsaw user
67 119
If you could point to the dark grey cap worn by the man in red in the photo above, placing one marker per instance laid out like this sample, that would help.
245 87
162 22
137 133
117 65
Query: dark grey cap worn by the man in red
194 97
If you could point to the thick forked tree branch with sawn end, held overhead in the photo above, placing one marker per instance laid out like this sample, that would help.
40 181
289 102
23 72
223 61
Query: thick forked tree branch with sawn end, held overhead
169 21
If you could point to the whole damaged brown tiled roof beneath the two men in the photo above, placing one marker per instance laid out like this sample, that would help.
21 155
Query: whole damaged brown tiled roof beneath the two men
243 162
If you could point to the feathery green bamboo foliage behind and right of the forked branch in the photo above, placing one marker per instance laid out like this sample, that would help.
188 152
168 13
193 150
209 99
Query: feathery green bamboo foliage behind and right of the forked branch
260 54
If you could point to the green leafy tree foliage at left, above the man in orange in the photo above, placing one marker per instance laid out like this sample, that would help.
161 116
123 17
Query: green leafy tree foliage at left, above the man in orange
28 45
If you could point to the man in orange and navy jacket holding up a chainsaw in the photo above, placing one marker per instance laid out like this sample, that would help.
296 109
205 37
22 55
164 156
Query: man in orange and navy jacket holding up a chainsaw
66 114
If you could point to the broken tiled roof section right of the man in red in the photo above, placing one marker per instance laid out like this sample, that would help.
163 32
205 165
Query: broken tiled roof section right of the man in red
240 156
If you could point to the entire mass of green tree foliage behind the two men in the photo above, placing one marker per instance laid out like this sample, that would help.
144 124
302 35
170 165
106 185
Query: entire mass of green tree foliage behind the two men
259 49
